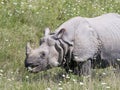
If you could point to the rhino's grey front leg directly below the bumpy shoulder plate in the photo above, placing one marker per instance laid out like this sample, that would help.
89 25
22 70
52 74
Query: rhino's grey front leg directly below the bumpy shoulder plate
85 68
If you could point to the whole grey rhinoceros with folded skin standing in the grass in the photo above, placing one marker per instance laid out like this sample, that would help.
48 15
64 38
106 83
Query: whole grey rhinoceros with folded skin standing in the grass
78 43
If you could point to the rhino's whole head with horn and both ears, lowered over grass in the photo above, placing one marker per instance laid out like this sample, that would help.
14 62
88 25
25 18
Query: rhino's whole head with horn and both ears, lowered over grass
46 55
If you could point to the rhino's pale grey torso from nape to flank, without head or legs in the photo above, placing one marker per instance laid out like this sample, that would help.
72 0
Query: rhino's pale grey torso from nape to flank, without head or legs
83 34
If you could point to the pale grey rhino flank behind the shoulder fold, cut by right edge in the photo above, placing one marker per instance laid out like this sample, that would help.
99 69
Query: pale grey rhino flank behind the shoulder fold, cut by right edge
108 28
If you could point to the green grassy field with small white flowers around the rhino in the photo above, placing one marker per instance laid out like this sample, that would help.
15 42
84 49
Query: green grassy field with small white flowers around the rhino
25 20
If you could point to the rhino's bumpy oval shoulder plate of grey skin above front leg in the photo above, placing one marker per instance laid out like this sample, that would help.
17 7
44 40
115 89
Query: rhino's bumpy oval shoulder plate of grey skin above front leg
86 43
